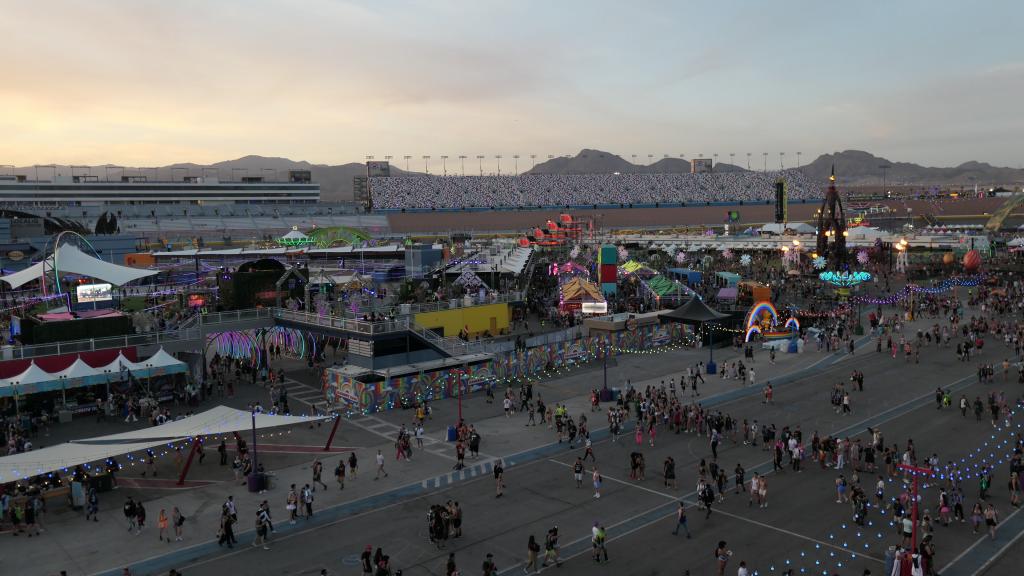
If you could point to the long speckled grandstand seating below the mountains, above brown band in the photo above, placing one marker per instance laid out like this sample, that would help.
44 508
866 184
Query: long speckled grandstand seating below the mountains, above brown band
584 190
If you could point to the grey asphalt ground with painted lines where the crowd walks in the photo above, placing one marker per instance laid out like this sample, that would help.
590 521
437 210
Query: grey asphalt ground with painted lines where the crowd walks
803 526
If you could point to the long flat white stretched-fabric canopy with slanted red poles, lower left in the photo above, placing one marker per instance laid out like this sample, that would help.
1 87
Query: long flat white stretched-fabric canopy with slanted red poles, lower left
220 421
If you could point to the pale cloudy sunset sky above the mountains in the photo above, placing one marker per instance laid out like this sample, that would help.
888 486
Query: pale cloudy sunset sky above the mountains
148 84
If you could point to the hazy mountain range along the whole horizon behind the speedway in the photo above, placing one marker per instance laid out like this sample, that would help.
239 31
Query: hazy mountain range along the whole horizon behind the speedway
854 168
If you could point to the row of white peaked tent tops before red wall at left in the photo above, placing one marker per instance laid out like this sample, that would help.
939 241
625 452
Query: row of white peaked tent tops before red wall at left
34 380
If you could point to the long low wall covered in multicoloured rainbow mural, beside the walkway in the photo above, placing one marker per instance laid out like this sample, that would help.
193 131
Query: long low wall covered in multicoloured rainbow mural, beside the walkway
356 397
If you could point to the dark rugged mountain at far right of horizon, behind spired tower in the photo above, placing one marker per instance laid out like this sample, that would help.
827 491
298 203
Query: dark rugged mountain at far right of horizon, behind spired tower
855 168
